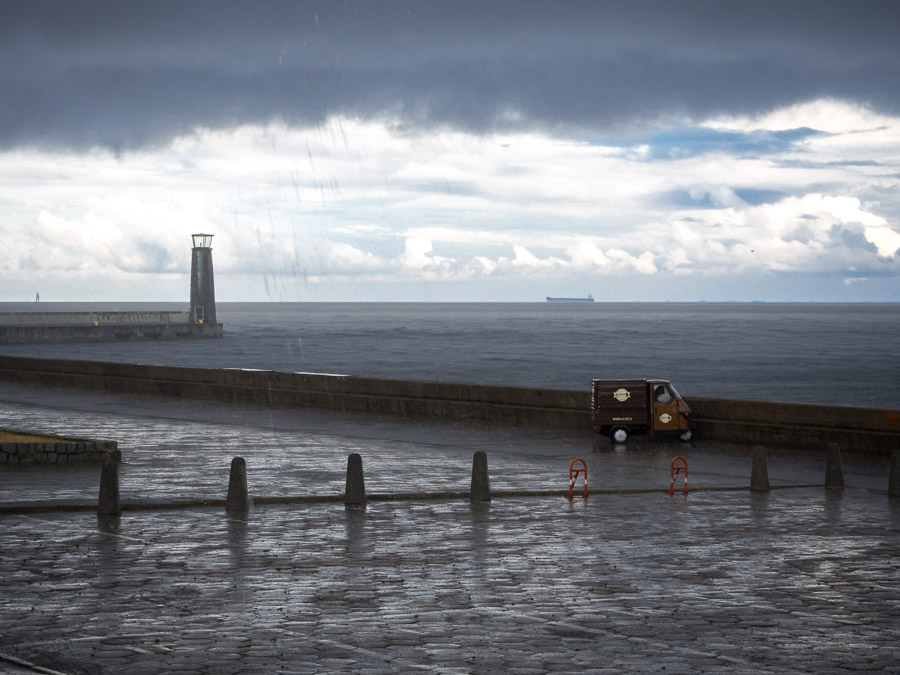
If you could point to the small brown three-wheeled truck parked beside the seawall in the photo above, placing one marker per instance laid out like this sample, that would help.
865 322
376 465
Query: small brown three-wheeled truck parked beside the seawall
620 408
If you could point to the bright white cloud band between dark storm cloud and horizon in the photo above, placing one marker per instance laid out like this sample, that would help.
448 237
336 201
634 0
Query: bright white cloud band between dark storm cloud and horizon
367 200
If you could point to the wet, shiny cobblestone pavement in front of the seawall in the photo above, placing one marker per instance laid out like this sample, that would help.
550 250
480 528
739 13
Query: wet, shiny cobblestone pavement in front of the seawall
795 580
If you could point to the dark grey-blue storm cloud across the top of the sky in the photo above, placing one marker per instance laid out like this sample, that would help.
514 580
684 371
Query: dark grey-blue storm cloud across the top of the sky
127 74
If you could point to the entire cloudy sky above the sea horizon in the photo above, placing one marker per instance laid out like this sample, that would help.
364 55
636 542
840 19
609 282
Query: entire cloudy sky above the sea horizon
682 150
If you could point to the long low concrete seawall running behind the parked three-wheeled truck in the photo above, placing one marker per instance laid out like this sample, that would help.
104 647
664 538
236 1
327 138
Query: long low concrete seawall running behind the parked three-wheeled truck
873 430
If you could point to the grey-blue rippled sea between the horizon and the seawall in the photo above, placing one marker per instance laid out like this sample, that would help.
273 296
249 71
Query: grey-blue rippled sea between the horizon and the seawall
845 354
